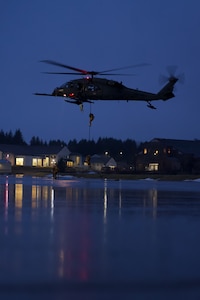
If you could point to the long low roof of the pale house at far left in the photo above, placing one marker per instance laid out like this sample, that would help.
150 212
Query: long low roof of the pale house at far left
30 150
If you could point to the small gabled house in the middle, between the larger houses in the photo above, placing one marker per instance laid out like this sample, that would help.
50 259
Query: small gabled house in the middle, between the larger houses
100 162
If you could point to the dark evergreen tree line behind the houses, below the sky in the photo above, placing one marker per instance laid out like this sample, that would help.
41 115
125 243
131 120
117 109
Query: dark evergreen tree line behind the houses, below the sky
114 147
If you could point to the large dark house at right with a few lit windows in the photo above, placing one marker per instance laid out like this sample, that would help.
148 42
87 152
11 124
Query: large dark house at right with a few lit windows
168 156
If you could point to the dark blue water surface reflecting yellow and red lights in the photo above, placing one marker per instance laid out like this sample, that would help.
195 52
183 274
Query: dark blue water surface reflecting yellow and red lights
111 236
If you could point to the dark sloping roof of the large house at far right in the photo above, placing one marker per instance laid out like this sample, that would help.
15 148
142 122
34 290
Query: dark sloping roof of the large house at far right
184 146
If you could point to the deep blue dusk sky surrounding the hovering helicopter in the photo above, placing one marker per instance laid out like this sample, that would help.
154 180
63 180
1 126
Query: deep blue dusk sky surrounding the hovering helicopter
99 35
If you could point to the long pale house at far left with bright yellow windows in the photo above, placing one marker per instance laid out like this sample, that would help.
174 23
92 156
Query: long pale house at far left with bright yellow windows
33 156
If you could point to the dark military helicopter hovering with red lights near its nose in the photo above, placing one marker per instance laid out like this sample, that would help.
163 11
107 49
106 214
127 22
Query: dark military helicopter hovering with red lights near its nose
91 88
